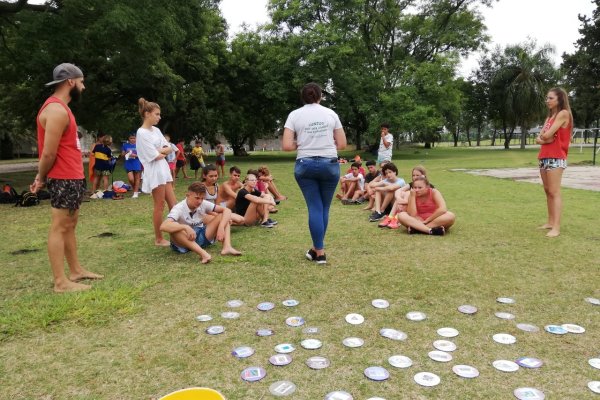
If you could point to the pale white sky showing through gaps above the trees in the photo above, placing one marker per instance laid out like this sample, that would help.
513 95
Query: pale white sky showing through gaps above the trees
508 22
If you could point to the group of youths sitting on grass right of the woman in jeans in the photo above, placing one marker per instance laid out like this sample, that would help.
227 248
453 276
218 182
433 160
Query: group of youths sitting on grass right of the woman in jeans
418 205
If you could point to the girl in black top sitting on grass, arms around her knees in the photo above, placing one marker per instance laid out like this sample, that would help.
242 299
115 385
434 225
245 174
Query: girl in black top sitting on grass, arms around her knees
253 205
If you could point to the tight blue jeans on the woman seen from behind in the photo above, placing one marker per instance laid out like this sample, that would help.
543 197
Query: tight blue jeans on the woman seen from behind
317 178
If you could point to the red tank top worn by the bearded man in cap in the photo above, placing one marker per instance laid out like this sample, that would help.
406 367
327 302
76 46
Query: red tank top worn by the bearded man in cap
68 163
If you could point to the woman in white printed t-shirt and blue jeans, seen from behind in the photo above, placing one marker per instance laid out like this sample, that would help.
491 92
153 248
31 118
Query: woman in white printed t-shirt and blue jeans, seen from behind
317 133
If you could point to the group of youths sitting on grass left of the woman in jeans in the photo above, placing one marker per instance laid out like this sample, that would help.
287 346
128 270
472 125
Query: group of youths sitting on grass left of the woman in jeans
209 209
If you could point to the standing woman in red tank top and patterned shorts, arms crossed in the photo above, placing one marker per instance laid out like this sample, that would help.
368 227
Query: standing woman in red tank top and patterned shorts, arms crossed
554 138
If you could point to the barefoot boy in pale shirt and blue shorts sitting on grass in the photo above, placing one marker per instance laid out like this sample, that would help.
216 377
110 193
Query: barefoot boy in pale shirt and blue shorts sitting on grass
188 231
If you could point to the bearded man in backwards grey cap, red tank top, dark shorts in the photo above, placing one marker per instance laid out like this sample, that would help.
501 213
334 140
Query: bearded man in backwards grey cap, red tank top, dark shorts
61 170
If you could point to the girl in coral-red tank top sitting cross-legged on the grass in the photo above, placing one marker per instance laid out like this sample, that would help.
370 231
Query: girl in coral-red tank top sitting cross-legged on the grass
426 211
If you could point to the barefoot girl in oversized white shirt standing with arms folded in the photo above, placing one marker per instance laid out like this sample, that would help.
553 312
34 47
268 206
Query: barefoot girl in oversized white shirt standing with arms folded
153 148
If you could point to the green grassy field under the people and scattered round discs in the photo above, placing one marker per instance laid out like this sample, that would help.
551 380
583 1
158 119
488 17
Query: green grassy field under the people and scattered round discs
134 336
